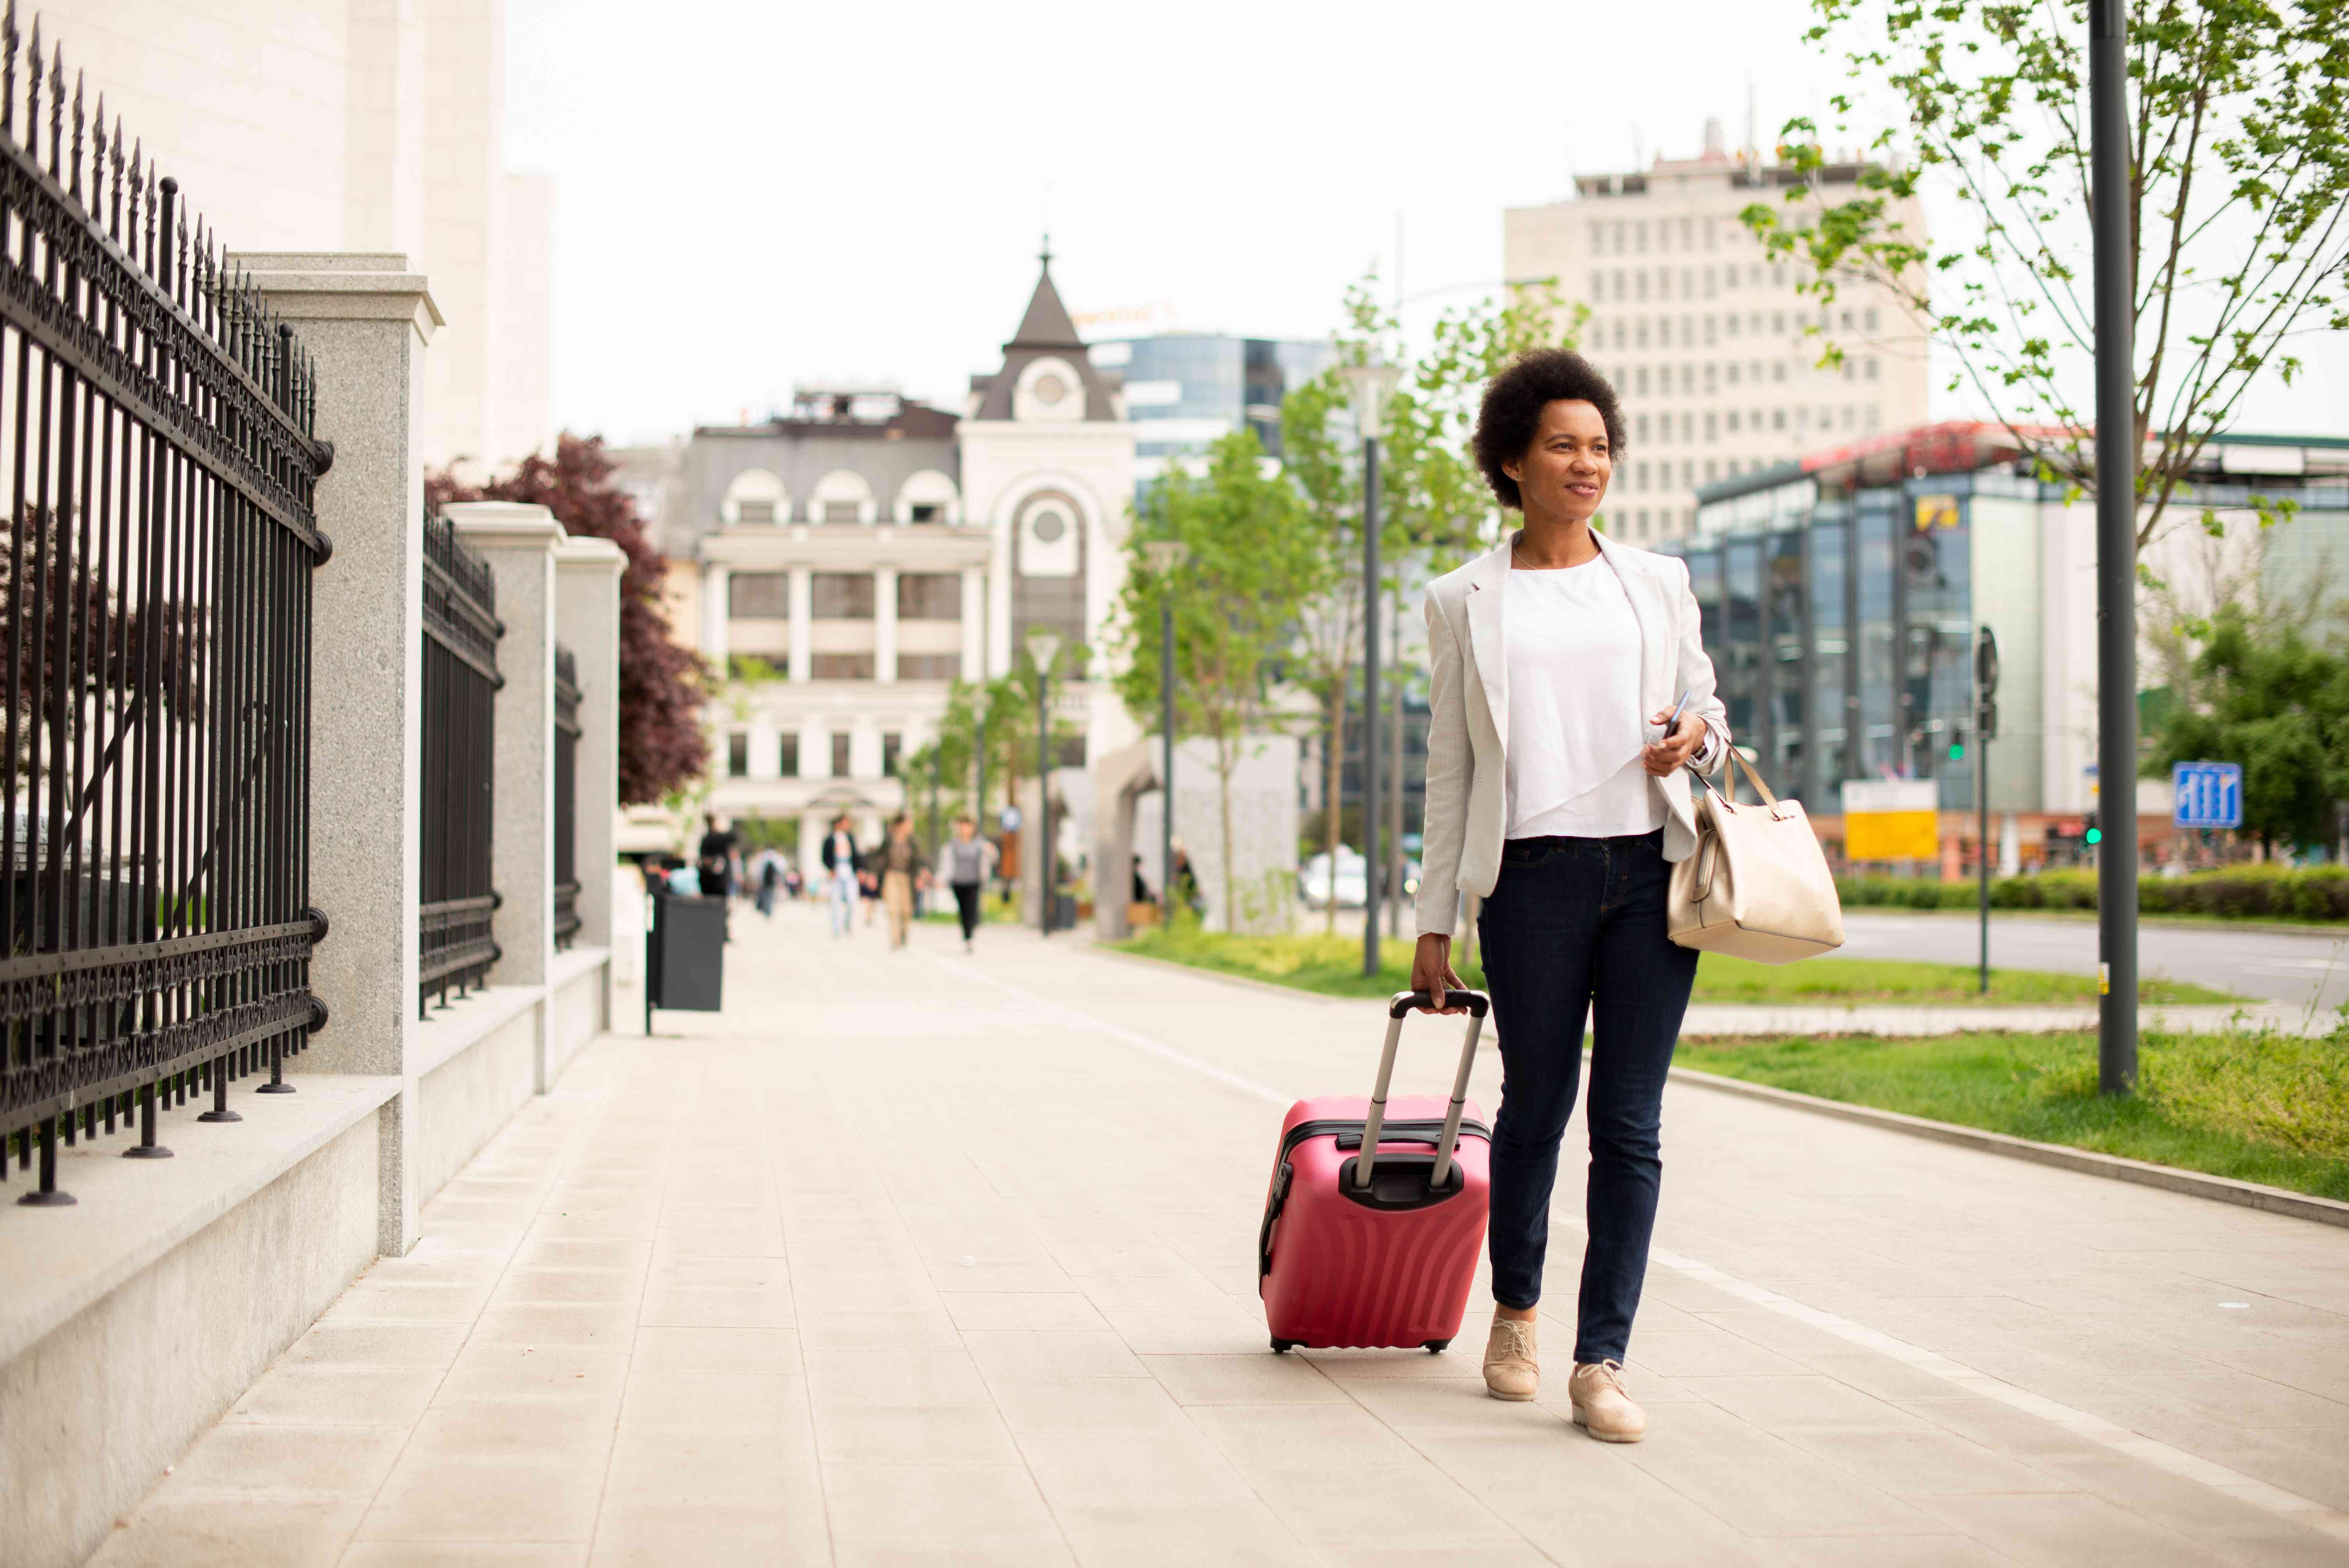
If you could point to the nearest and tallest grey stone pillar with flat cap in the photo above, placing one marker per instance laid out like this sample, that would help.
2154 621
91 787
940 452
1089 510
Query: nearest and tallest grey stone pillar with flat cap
365 320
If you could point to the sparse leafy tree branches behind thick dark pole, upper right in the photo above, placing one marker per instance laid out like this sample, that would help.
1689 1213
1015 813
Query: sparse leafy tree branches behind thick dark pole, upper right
2237 201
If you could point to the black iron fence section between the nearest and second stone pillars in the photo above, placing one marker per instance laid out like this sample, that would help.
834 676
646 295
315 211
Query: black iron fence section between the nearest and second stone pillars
462 731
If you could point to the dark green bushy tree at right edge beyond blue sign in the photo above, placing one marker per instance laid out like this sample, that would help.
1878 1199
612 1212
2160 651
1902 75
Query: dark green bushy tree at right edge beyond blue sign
2280 705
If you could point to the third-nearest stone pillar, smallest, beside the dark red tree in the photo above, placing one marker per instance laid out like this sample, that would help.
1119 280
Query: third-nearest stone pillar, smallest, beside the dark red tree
588 623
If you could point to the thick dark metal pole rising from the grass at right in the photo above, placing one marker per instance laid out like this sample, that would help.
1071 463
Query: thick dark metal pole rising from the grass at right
2115 553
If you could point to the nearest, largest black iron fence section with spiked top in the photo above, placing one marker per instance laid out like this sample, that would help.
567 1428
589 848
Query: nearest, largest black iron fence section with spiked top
156 447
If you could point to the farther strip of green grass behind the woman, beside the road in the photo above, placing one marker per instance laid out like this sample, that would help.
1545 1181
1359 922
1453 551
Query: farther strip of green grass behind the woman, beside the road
1333 966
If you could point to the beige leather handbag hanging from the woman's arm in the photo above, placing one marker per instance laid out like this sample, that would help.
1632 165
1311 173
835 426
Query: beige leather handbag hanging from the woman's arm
1758 884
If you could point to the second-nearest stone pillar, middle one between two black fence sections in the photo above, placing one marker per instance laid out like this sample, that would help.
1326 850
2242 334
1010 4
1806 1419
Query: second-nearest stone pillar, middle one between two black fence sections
518 541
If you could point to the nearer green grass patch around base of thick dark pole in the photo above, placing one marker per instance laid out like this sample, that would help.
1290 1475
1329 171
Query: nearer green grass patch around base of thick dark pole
2244 1104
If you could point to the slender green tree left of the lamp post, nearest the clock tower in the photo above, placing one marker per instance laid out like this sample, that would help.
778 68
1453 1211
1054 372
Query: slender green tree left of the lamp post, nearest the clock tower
1253 555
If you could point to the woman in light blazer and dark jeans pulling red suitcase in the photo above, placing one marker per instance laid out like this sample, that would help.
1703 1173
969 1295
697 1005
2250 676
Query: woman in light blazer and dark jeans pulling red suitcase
1570 689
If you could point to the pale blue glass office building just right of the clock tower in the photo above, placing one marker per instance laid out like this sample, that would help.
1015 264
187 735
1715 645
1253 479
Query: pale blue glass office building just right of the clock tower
1185 391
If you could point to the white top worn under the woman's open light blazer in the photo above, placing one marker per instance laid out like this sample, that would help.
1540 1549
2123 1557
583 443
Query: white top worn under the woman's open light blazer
1575 724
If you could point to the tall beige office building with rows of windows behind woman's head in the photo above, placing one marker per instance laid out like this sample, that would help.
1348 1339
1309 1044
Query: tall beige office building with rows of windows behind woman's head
1704 337
